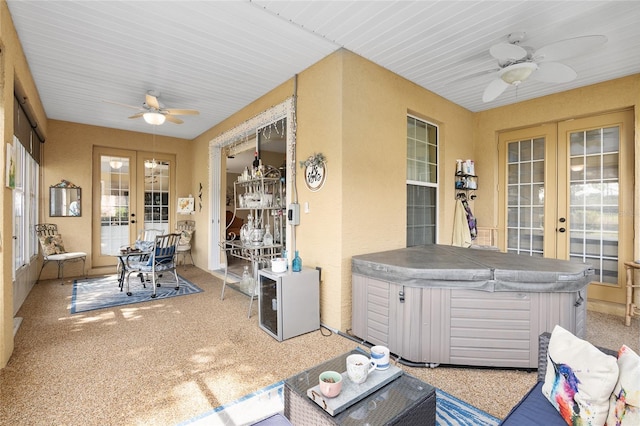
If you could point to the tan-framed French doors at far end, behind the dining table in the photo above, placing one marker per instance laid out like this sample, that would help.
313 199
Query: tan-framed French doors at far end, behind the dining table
133 191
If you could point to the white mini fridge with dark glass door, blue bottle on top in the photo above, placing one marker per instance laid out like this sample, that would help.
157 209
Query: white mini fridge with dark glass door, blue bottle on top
289 302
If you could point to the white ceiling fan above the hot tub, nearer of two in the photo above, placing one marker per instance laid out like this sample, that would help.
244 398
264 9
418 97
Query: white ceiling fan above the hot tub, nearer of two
518 63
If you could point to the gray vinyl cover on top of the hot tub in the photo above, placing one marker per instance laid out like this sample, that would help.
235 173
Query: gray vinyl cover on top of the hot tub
452 267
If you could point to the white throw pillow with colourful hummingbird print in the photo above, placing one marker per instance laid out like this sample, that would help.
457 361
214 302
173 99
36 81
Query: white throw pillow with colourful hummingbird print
579 379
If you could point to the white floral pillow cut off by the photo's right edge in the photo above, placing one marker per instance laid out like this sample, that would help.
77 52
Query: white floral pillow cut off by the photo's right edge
624 405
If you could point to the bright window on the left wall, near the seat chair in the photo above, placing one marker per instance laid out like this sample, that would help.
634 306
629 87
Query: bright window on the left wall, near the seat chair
25 208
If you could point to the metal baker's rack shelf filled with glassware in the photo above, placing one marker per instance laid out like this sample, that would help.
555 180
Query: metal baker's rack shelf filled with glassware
262 237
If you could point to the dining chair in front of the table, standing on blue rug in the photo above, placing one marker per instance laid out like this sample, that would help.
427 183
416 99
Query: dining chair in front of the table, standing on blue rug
161 259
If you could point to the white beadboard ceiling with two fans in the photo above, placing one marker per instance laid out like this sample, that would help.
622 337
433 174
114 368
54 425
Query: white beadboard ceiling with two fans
218 56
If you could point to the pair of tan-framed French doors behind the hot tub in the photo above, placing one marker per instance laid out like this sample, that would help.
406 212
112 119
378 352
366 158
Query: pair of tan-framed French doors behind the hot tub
567 193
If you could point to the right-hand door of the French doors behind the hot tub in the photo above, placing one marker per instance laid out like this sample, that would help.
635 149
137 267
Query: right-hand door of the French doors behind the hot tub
600 181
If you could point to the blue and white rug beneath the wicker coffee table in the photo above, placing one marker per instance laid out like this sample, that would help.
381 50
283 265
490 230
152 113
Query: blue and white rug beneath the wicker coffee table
450 411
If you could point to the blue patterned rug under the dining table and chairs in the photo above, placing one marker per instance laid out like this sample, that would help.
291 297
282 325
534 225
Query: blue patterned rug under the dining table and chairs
104 292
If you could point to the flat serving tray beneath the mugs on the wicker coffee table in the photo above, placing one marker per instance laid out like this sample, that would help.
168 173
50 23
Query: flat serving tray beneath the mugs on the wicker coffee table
351 392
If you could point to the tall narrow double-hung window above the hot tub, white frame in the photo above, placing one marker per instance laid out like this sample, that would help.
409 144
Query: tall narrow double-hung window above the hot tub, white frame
422 182
